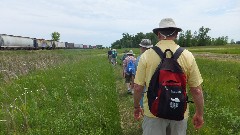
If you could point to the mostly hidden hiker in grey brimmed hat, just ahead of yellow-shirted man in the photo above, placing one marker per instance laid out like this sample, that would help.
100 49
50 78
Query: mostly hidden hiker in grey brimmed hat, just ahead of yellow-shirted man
145 44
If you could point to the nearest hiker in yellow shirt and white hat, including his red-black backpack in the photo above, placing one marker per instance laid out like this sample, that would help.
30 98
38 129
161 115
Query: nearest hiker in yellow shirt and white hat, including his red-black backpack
167 81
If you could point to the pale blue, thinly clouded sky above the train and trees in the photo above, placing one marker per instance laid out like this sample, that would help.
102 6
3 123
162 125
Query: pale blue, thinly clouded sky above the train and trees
103 21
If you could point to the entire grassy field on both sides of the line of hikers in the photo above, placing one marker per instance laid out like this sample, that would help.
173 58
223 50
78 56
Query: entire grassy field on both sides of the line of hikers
80 92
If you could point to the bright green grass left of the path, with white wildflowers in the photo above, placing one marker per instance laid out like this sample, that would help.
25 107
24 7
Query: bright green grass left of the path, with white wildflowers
78 97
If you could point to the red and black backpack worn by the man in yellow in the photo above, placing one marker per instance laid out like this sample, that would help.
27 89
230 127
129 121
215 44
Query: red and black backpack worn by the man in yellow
166 93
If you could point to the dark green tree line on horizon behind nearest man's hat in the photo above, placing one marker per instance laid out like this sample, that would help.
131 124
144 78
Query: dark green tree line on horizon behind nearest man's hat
185 39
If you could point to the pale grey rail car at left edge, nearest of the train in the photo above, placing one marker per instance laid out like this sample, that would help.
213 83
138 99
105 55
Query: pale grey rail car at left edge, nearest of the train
9 41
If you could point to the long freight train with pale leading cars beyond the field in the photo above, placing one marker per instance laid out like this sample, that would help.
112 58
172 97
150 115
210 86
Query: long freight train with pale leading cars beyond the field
19 42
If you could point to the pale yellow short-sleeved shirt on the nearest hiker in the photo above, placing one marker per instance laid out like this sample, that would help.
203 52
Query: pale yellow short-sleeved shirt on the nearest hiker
150 60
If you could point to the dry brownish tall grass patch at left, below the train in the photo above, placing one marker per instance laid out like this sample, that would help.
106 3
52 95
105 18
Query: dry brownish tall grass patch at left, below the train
17 63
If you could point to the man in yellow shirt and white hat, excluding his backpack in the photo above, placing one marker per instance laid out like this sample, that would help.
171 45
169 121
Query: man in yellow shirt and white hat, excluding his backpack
167 33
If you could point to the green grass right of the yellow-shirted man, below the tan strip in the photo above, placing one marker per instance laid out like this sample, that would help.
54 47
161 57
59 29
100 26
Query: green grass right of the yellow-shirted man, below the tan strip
221 88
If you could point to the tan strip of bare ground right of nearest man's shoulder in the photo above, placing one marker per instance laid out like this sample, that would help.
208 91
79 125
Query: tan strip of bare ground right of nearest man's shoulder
221 57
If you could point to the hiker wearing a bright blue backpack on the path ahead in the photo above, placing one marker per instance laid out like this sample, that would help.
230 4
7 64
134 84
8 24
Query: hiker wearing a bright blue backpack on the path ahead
129 69
